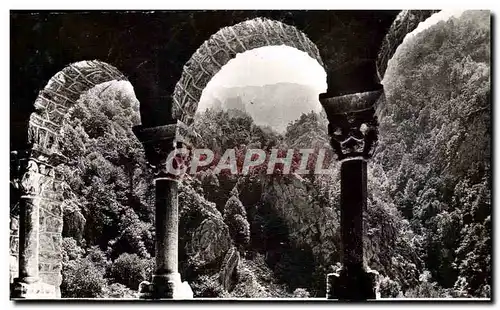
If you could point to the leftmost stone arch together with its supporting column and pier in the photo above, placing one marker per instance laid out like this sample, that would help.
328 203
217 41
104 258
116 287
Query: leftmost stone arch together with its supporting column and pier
36 238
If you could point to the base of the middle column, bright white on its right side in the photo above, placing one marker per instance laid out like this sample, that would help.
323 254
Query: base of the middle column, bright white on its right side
167 286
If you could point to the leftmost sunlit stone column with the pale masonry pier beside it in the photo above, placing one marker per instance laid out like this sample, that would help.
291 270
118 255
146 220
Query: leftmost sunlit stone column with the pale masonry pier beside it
37 194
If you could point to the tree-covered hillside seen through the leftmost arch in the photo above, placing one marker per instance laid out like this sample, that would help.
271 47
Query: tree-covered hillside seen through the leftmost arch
108 216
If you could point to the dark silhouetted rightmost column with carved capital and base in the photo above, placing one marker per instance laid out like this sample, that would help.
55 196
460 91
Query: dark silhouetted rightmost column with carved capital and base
353 132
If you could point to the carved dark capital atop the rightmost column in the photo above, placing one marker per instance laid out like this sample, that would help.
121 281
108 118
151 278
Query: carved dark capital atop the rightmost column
353 125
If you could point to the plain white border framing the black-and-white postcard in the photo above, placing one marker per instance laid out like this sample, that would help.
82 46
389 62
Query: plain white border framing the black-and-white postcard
216 4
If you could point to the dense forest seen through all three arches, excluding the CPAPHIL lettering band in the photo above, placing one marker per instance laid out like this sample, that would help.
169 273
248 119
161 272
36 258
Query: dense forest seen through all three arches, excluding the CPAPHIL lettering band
428 221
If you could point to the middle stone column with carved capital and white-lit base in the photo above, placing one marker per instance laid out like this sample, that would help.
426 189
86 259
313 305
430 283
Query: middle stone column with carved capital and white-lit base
160 143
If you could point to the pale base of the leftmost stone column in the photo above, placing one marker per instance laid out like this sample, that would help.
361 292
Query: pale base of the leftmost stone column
32 288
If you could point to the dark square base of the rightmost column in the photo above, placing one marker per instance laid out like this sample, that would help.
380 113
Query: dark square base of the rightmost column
355 286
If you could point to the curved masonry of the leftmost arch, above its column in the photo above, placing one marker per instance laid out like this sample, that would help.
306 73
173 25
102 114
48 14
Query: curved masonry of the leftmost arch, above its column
61 93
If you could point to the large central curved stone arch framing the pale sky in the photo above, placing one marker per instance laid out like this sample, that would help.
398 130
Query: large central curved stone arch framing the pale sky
223 46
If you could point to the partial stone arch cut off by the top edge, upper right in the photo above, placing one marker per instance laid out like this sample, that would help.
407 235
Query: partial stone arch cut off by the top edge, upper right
404 23
